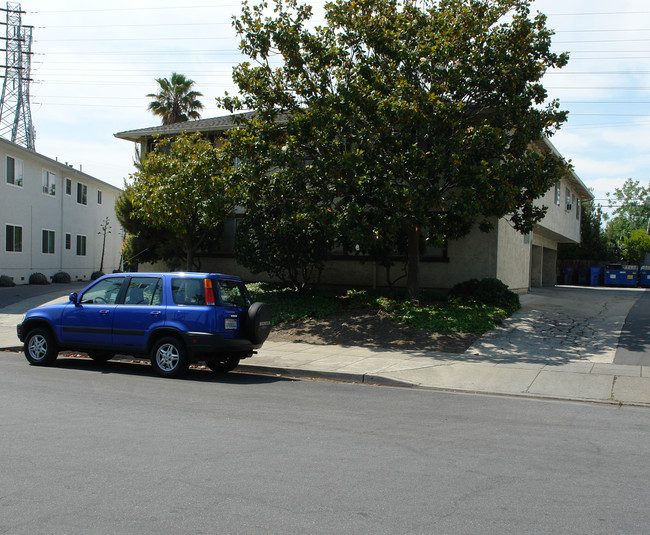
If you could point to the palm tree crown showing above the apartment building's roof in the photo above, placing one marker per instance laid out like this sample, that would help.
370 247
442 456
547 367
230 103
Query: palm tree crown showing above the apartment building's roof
175 102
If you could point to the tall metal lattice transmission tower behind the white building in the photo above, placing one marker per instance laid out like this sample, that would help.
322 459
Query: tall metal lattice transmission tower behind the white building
15 114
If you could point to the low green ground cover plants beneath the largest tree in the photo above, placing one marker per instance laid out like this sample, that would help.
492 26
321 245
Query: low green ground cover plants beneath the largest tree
465 313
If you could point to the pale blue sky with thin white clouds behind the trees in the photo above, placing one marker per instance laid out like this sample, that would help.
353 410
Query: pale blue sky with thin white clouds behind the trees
94 62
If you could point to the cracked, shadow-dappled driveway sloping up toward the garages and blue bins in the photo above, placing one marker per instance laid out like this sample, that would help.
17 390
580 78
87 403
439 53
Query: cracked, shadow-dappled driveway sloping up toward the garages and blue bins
572 324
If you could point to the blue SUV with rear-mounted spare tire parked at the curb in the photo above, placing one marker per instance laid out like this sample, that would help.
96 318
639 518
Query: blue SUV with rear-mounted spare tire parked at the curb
173 318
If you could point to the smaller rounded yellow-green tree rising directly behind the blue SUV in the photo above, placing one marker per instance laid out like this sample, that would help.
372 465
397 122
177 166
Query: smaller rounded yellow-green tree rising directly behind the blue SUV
181 191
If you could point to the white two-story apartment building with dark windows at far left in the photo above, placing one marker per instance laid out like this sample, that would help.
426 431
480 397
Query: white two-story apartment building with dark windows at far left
51 218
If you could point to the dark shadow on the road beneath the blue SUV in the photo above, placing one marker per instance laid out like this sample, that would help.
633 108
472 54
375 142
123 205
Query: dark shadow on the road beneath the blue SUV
144 369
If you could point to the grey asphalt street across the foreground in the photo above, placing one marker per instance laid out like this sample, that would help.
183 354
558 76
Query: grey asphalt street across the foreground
114 449
